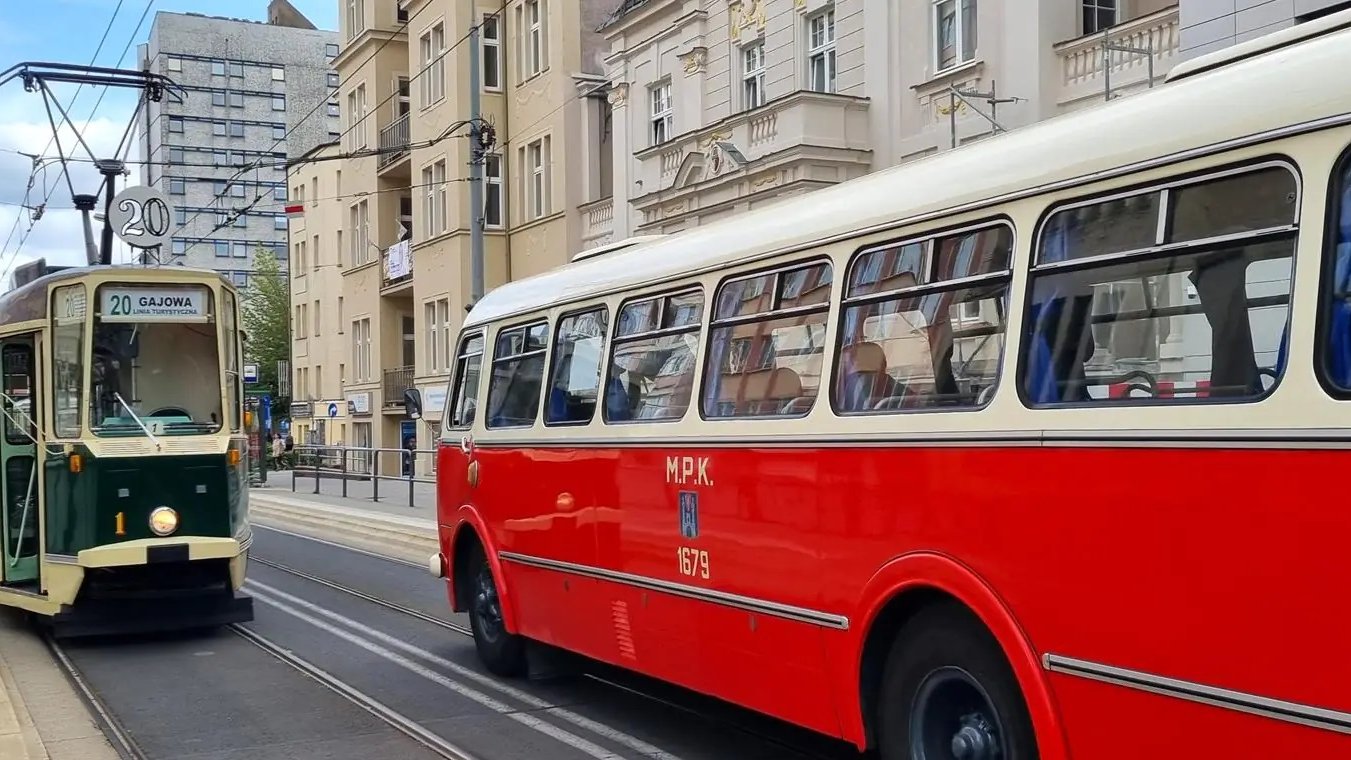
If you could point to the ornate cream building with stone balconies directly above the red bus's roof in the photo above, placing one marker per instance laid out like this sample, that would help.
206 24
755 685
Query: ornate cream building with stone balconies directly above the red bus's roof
722 106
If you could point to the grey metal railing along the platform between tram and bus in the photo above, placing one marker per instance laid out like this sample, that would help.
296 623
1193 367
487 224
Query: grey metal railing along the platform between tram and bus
361 465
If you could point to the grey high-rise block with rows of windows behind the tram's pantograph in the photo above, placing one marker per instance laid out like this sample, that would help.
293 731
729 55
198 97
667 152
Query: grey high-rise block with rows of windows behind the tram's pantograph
255 94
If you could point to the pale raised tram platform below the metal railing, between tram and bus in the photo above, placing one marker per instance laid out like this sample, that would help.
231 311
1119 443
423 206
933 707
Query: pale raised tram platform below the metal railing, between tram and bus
390 528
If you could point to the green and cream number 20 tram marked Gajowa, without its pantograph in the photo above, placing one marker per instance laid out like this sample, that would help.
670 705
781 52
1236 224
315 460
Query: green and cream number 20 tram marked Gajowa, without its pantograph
117 419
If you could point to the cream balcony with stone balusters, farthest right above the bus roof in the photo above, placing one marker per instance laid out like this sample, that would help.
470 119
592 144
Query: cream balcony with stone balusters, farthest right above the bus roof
1090 70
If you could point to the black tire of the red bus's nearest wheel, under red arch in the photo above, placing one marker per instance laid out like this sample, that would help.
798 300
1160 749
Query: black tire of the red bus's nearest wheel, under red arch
949 693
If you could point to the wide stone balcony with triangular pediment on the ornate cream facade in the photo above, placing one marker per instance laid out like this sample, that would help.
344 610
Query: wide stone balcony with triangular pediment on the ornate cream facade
805 141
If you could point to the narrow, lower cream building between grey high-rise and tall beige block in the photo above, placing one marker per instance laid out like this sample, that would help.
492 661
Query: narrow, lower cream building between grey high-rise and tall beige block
321 338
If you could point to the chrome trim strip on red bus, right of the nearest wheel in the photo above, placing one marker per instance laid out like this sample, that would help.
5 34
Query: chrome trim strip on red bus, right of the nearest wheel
1192 692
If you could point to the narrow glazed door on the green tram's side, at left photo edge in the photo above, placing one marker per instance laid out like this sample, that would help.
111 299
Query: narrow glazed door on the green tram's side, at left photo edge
20 518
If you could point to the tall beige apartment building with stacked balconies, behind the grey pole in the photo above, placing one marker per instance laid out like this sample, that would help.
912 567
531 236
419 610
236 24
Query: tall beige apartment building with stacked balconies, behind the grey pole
402 237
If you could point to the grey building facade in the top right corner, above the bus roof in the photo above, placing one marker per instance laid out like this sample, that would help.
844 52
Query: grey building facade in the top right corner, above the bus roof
1211 25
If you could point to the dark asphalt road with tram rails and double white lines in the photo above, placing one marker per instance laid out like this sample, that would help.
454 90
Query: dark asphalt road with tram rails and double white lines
220 696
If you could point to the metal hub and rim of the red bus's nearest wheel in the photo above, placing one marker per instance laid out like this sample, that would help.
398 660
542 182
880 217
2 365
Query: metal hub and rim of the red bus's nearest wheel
953 719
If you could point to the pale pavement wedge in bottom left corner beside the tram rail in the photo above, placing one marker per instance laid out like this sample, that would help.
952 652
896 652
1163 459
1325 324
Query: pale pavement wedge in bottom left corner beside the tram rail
41 715
